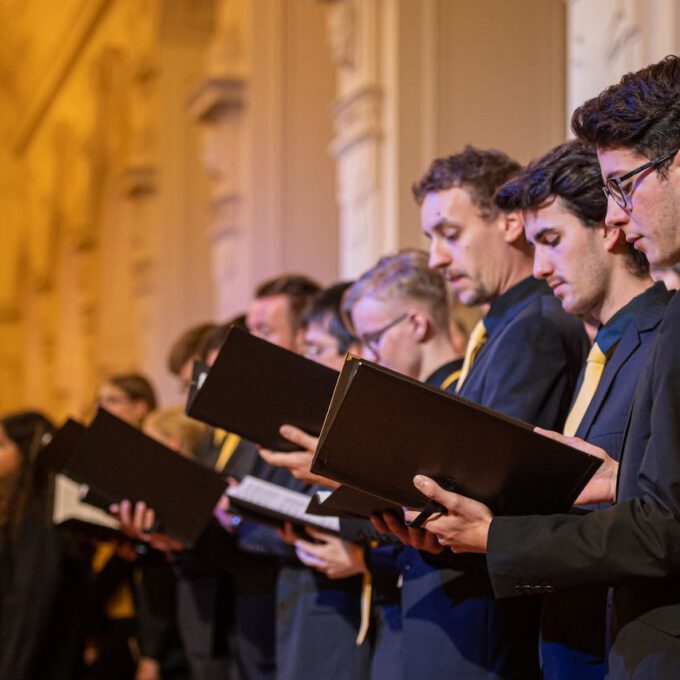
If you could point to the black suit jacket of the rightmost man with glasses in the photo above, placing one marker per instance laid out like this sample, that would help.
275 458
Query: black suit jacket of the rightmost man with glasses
633 546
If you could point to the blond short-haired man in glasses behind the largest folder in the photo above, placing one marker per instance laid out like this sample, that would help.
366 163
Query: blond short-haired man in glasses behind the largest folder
399 310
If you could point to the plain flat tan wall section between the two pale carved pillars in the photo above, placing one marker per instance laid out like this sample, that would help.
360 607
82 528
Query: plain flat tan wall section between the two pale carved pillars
499 70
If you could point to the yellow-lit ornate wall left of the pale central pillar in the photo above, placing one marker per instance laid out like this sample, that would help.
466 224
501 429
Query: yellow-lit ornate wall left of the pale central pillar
130 209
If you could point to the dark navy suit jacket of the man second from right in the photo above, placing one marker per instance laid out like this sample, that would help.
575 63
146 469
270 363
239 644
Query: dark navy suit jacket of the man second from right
573 622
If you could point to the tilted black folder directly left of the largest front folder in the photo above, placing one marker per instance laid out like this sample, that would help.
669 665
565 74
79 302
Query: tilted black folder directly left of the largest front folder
254 387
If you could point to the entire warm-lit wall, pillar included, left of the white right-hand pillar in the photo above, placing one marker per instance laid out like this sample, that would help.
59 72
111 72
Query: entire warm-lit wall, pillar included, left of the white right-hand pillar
160 157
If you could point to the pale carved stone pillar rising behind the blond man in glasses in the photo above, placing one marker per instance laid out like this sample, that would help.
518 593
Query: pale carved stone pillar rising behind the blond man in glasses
385 121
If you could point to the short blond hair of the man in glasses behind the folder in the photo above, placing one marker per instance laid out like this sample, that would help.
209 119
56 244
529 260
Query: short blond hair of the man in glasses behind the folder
403 276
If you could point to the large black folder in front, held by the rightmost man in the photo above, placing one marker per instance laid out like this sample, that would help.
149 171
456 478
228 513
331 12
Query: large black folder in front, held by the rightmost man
383 428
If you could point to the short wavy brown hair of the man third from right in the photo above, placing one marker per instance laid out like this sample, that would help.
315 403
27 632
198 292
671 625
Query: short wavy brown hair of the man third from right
481 172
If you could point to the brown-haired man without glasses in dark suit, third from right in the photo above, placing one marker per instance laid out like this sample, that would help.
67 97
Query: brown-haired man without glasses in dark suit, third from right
523 360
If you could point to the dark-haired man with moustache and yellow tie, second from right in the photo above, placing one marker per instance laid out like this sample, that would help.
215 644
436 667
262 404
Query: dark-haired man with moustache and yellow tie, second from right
596 275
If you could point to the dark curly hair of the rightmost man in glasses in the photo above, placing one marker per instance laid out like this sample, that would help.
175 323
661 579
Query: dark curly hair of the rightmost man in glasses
641 112
